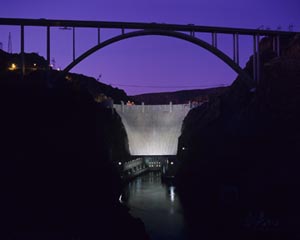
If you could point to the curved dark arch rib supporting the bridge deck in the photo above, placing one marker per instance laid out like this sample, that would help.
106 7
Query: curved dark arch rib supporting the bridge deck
225 58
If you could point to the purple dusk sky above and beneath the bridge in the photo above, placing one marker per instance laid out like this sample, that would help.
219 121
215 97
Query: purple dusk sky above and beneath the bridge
148 64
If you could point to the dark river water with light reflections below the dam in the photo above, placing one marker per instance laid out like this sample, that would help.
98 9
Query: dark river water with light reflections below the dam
157 205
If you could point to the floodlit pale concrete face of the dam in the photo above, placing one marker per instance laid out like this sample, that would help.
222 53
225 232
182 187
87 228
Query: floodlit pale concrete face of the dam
153 129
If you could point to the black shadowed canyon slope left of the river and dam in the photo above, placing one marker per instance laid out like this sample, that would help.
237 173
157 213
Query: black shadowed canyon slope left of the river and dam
58 179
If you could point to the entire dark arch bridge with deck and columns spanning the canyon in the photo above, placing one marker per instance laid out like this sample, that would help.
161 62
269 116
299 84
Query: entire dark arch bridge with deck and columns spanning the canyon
135 29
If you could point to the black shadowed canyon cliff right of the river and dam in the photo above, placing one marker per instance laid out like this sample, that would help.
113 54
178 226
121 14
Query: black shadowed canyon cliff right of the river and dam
239 154
